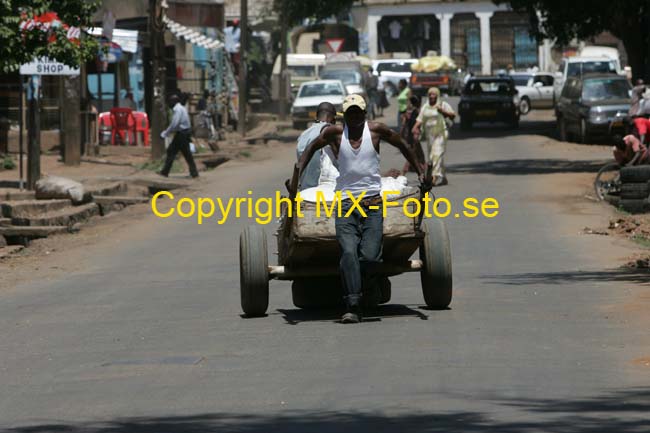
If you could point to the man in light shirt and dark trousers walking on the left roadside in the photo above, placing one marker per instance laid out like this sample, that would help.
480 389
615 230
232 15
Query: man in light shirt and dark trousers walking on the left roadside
182 129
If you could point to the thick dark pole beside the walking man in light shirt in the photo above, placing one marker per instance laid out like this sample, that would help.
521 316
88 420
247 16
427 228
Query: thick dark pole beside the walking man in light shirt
157 49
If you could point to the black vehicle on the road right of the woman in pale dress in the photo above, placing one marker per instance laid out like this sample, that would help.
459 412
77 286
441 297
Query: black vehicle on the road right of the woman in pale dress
492 99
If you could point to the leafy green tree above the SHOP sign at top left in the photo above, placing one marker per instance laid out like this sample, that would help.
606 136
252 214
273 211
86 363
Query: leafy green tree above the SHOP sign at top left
26 34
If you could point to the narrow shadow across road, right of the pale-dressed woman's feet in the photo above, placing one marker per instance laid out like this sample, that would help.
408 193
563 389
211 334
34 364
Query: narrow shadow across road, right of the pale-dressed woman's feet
527 166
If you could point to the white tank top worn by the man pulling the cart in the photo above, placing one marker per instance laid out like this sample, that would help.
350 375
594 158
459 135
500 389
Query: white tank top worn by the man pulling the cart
358 169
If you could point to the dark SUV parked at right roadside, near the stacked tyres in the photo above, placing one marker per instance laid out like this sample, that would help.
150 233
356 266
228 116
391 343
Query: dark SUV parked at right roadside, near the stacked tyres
590 104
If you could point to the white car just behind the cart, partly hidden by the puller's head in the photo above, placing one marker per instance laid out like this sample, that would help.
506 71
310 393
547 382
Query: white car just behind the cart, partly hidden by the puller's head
313 93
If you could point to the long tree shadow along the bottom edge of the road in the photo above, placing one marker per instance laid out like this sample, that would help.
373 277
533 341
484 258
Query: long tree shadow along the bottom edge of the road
620 412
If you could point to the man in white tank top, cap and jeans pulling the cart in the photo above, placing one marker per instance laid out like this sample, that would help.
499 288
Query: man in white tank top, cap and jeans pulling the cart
360 234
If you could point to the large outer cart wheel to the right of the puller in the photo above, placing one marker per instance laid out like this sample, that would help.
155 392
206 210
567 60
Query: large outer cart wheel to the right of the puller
435 254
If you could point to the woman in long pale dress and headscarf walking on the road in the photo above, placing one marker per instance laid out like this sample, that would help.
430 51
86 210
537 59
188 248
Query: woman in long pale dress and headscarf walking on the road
432 127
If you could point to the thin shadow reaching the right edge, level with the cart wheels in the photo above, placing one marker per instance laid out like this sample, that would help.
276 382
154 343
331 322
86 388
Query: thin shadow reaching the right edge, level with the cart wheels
640 276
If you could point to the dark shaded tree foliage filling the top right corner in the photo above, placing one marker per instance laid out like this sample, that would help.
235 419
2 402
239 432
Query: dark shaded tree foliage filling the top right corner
563 20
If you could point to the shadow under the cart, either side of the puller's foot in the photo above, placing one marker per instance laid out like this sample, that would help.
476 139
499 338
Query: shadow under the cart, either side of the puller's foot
296 316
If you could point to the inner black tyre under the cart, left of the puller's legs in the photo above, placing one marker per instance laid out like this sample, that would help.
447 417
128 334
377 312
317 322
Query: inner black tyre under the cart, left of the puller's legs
316 293
